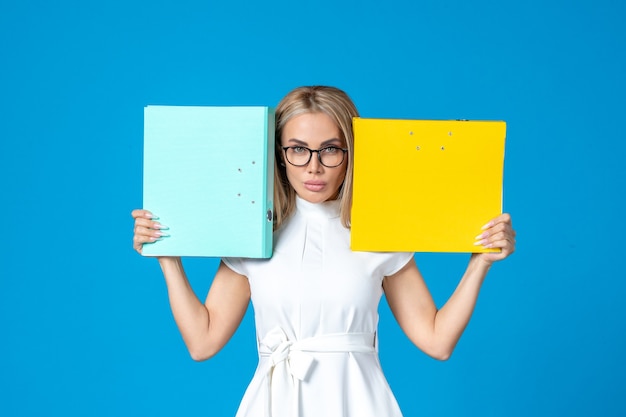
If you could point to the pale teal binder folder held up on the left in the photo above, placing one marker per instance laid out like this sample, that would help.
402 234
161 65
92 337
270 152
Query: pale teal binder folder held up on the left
208 176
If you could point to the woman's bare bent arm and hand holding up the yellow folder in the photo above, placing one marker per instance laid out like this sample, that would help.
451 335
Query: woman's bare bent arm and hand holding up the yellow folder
434 331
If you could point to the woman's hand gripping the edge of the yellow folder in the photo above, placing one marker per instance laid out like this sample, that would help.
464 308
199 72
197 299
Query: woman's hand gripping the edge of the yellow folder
498 234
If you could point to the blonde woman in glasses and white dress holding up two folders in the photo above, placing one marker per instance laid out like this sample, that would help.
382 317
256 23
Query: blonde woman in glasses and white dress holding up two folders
315 301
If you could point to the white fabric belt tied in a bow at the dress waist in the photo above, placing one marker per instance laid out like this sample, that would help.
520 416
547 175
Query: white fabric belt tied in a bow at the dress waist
290 362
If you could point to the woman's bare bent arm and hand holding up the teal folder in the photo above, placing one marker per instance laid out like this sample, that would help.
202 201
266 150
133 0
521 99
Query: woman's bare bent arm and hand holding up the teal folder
205 327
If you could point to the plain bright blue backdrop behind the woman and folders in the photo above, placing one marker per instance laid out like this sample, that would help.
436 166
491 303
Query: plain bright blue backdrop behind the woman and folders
85 327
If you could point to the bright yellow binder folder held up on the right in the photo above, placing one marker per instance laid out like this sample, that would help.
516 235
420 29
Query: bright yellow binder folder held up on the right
425 185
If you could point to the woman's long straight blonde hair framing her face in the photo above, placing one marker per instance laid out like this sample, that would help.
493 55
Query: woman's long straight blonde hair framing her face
336 104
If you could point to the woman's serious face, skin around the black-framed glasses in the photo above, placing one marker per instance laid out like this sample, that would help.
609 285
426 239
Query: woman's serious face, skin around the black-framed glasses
314 182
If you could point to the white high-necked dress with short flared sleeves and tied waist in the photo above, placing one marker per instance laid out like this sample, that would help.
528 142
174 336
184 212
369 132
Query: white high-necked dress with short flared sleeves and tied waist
316 313
